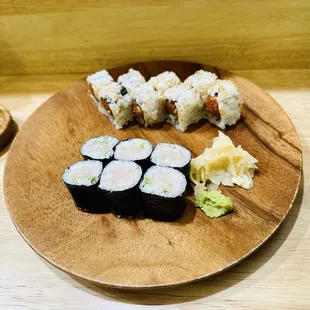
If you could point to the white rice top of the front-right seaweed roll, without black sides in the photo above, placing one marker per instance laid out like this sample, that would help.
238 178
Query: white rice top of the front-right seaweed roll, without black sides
163 181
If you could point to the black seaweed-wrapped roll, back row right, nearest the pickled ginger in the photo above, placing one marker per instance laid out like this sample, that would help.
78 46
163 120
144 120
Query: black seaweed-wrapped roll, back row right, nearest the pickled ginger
173 156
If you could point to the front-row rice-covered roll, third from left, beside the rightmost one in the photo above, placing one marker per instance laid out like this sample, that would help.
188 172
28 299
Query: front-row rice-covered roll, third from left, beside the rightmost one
184 106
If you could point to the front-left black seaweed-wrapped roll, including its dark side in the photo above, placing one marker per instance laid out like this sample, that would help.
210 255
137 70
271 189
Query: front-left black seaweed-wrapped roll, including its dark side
82 179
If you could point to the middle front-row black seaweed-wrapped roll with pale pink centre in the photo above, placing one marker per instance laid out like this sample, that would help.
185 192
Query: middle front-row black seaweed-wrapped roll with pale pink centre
119 184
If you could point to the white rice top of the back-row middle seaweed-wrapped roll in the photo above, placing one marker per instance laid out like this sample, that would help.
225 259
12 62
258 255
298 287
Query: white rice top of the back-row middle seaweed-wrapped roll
133 149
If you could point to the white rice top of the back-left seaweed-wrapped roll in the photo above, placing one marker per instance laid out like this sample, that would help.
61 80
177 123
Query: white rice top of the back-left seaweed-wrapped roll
99 147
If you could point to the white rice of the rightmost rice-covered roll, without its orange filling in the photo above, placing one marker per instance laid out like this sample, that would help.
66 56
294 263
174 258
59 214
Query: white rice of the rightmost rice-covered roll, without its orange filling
229 103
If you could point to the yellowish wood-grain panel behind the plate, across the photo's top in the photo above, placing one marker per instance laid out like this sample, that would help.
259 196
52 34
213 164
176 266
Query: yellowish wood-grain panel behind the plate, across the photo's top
48 36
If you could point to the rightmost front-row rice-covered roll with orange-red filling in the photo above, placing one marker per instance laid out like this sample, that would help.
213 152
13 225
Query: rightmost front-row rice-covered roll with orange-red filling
223 104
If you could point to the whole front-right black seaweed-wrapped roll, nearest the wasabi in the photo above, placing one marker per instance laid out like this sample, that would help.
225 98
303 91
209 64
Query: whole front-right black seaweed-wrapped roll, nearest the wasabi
163 193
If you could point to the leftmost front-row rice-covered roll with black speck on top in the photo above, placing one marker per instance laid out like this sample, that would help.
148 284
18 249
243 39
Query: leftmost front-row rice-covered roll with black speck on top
115 102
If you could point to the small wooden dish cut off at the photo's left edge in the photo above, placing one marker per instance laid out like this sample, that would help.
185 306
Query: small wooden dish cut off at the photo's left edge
7 127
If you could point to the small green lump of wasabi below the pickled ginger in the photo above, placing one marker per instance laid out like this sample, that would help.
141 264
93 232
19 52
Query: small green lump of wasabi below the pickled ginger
214 203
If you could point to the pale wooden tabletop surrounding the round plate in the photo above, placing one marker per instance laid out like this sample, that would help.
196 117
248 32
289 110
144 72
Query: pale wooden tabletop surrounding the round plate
277 276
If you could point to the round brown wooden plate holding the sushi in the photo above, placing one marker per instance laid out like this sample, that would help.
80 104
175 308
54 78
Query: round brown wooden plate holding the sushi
143 253
